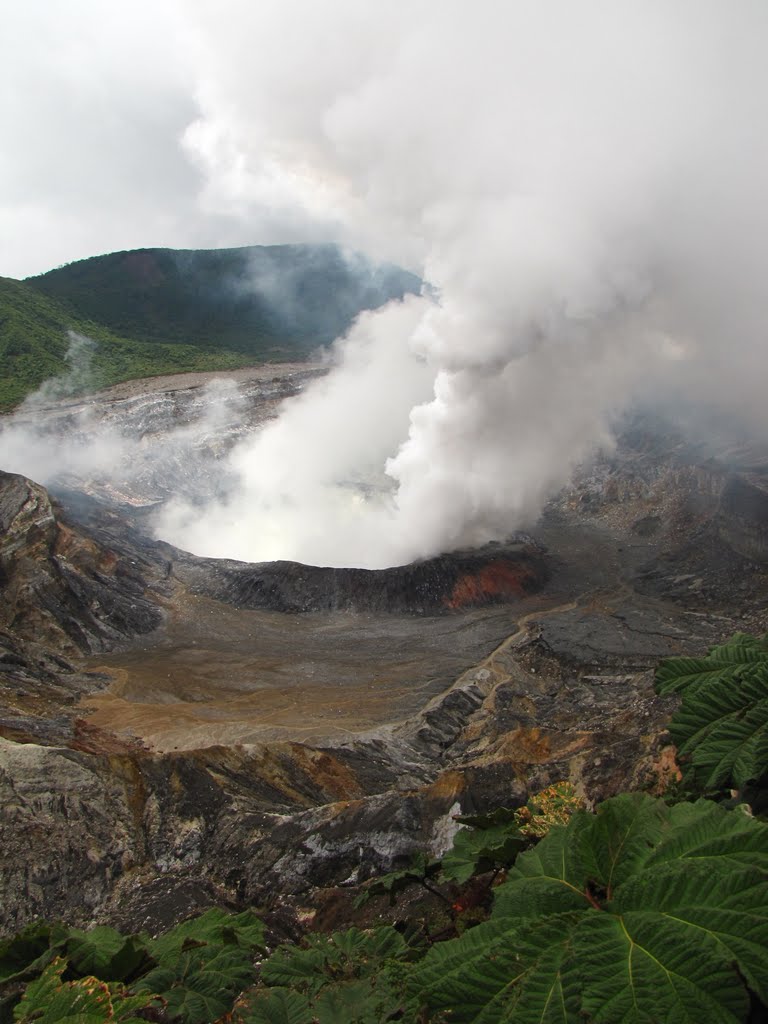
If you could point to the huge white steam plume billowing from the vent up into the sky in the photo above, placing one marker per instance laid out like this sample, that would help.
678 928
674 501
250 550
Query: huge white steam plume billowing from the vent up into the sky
582 185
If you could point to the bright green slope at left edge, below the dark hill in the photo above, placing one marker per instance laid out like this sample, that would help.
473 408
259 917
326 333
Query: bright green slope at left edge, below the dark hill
34 342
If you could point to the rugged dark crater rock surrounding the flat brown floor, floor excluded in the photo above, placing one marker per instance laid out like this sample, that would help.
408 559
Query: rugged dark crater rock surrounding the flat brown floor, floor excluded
95 829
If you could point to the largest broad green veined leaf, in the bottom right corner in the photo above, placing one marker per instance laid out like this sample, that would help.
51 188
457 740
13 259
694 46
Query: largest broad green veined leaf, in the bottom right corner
639 913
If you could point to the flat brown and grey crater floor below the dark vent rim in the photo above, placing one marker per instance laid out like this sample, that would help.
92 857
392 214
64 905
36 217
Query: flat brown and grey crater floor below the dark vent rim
220 675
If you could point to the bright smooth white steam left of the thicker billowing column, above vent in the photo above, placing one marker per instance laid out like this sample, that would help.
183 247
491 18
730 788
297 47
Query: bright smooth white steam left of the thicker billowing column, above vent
309 483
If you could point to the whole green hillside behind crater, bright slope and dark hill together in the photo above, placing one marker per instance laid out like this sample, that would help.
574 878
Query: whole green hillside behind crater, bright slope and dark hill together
161 311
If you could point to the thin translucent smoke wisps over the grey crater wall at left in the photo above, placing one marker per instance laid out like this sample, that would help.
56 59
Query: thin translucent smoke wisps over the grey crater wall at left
131 451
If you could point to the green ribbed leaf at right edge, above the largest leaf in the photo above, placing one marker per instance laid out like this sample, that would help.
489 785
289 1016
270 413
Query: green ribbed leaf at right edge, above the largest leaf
721 728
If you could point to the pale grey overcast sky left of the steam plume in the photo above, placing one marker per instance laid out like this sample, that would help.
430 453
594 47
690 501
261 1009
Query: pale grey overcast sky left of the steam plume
102 107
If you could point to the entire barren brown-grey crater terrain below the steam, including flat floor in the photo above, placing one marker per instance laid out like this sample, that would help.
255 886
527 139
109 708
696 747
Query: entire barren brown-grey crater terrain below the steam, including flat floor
179 732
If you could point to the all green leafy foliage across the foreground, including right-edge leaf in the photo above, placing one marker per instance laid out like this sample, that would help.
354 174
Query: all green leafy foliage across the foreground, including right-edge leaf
644 913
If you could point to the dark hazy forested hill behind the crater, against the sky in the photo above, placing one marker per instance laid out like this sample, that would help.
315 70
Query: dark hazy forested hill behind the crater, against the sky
264 301
